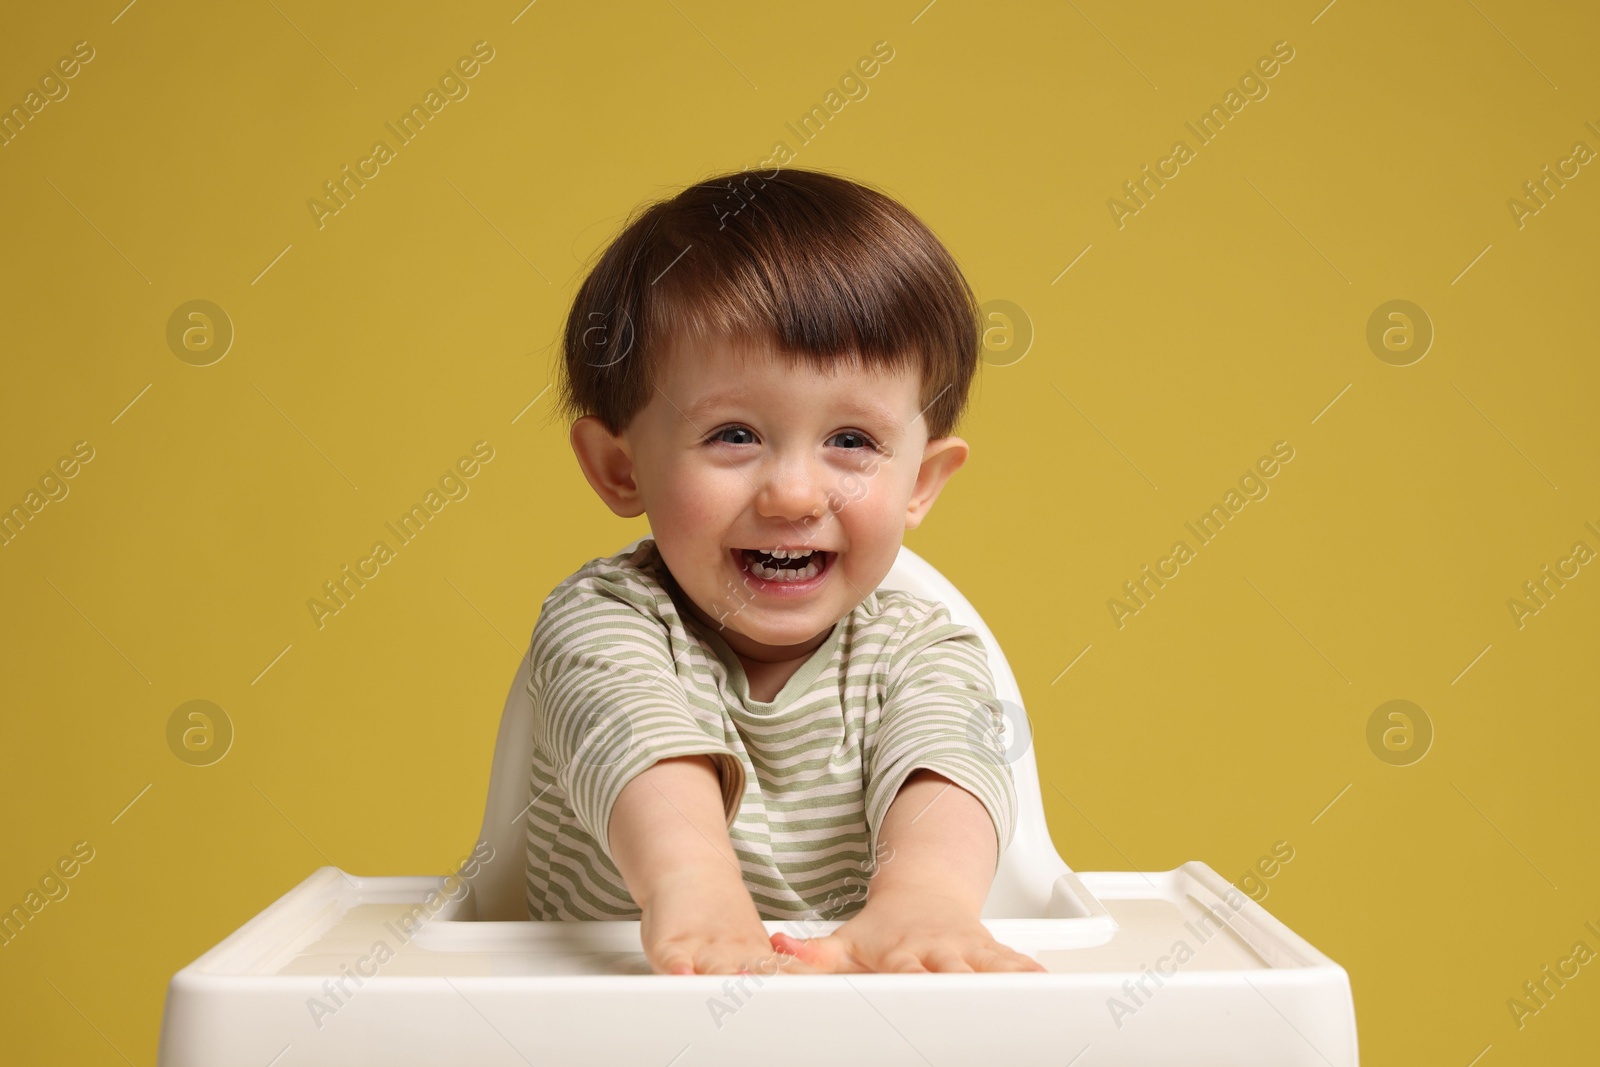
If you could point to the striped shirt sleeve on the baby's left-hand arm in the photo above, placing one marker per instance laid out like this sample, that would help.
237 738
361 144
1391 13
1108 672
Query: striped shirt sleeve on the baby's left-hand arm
609 701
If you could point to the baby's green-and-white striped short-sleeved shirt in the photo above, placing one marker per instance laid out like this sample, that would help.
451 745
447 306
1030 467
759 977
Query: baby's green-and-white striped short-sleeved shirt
623 676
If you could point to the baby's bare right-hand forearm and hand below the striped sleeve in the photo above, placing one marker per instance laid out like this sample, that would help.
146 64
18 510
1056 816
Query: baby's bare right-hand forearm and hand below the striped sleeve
926 900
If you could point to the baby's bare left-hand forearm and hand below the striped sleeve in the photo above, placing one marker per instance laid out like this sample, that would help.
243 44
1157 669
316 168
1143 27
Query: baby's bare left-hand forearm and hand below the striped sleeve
670 841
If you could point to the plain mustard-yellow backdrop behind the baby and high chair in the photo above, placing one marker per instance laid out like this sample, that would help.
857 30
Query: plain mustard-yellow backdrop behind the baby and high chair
1226 316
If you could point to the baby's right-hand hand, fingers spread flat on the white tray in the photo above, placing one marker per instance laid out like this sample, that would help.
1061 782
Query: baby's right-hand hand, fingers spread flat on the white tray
908 932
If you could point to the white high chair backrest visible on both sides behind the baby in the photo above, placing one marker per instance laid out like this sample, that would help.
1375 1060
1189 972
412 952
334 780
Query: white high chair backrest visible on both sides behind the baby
1028 869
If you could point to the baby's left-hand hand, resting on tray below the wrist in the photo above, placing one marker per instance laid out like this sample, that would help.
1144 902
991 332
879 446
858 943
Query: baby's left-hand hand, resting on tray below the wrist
697 929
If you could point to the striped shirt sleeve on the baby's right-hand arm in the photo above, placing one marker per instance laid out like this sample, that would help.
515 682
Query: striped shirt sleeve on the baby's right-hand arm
942 713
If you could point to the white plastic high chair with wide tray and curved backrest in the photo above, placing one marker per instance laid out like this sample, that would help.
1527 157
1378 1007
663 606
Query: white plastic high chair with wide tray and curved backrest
1162 969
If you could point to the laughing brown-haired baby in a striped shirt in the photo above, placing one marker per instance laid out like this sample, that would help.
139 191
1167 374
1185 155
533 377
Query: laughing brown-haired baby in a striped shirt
734 722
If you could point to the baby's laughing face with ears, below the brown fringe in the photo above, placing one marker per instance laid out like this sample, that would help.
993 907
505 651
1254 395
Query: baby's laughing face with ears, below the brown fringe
742 450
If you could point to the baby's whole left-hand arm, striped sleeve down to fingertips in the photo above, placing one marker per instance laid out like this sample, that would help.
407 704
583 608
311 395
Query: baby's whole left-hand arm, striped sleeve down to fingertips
644 780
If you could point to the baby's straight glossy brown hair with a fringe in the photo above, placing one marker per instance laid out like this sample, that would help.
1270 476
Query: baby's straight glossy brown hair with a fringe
814 266
